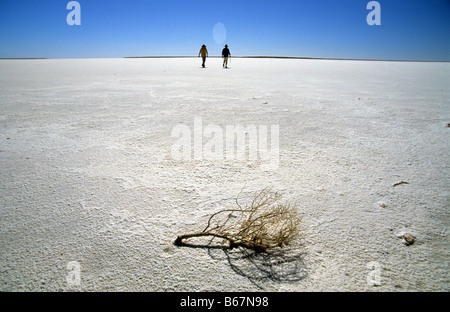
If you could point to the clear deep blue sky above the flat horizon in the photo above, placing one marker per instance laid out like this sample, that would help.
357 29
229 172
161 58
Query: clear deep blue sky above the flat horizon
410 29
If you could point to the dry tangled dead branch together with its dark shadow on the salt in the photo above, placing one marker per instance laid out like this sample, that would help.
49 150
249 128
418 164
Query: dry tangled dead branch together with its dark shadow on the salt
253 238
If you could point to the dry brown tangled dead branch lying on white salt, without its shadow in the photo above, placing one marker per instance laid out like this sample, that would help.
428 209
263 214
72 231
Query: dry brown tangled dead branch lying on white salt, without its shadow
262 225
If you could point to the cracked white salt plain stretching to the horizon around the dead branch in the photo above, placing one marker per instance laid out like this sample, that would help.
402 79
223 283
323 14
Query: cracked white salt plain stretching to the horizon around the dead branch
93 192
